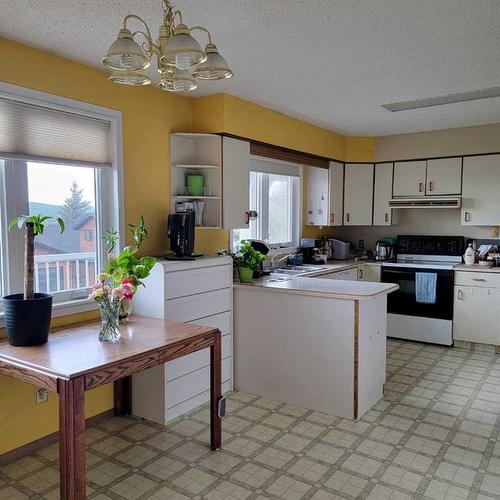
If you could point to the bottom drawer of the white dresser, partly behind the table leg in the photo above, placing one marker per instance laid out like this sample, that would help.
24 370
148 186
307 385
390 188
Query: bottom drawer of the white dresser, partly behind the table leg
192 384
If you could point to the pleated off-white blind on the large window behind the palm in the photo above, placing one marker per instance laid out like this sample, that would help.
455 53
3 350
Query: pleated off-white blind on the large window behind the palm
40 132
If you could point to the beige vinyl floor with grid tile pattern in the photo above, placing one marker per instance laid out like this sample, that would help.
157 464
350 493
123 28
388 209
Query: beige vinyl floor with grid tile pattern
435 435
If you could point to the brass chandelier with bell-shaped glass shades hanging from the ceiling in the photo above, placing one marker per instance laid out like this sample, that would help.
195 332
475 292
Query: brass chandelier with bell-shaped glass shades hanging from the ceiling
180 59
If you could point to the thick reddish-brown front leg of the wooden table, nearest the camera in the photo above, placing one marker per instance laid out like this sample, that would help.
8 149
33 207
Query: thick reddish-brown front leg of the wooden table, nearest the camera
72 438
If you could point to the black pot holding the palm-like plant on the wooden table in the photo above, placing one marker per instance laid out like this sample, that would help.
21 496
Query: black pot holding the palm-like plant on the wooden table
28 321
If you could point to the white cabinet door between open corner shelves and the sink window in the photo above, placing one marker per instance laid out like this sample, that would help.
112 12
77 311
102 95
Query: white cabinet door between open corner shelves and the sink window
236 182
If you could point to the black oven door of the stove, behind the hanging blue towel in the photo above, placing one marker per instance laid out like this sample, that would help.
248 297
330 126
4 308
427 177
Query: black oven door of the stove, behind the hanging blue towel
404 300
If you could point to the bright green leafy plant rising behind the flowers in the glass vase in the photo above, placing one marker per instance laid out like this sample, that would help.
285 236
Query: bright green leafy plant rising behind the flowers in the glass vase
126 267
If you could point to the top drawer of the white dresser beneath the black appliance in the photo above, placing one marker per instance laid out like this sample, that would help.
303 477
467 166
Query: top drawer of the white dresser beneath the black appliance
206 279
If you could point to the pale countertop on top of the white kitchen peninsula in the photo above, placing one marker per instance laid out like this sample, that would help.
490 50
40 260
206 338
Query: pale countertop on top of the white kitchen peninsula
321 287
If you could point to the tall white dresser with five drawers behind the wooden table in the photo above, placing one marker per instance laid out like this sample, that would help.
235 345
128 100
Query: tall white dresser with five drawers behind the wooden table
193 292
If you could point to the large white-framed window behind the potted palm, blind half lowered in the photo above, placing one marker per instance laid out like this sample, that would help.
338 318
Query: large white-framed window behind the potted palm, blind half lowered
39 176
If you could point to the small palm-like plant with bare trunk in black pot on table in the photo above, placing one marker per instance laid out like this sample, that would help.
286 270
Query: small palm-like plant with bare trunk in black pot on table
28 314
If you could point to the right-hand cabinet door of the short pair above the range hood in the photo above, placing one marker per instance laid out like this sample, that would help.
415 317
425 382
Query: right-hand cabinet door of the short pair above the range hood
444 176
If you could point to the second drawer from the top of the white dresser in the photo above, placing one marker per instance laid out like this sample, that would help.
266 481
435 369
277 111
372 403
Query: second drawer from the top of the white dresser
198 306
